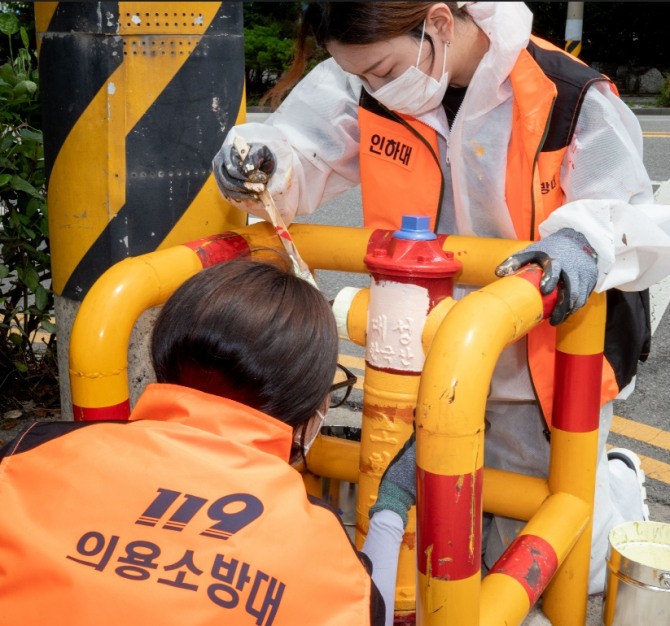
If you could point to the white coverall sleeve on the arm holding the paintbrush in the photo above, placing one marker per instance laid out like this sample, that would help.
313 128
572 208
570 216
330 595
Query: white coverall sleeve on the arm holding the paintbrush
314 136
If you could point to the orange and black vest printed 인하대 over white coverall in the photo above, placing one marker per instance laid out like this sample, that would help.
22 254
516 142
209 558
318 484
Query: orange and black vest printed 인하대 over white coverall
401 173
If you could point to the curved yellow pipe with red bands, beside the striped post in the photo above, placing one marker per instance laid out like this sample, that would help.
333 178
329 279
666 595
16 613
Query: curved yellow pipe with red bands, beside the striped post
101 331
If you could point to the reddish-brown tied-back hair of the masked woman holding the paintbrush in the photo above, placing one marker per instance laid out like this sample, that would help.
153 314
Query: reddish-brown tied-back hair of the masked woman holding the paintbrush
353 23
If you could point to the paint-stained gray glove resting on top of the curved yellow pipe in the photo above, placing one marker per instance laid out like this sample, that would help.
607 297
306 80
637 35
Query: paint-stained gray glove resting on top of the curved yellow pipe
567 261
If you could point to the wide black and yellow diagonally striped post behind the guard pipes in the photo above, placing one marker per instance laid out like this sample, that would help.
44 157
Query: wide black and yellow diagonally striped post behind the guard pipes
137 98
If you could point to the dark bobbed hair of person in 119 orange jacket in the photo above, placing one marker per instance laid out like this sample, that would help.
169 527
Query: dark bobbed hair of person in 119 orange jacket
252 332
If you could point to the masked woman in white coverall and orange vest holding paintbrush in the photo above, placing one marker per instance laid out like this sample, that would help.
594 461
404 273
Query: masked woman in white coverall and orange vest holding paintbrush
453 110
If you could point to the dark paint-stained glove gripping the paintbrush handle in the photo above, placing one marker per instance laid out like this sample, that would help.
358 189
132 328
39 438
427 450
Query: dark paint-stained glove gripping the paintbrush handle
238 178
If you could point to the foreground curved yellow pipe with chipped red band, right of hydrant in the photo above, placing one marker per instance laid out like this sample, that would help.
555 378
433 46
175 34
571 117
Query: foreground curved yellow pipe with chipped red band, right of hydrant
450 444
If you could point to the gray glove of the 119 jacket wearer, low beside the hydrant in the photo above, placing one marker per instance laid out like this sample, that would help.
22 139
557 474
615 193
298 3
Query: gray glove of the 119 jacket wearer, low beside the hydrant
397 490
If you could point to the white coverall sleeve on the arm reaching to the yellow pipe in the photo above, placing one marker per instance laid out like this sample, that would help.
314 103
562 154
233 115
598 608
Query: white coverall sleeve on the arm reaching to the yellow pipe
609 196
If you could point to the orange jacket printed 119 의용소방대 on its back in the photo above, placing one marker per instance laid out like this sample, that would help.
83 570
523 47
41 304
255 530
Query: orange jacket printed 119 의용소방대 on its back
187 514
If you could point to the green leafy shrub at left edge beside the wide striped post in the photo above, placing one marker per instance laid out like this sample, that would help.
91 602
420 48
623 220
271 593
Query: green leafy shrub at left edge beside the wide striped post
27 332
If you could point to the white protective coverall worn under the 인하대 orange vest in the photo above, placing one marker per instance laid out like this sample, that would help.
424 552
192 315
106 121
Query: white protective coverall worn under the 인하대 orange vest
314 136
